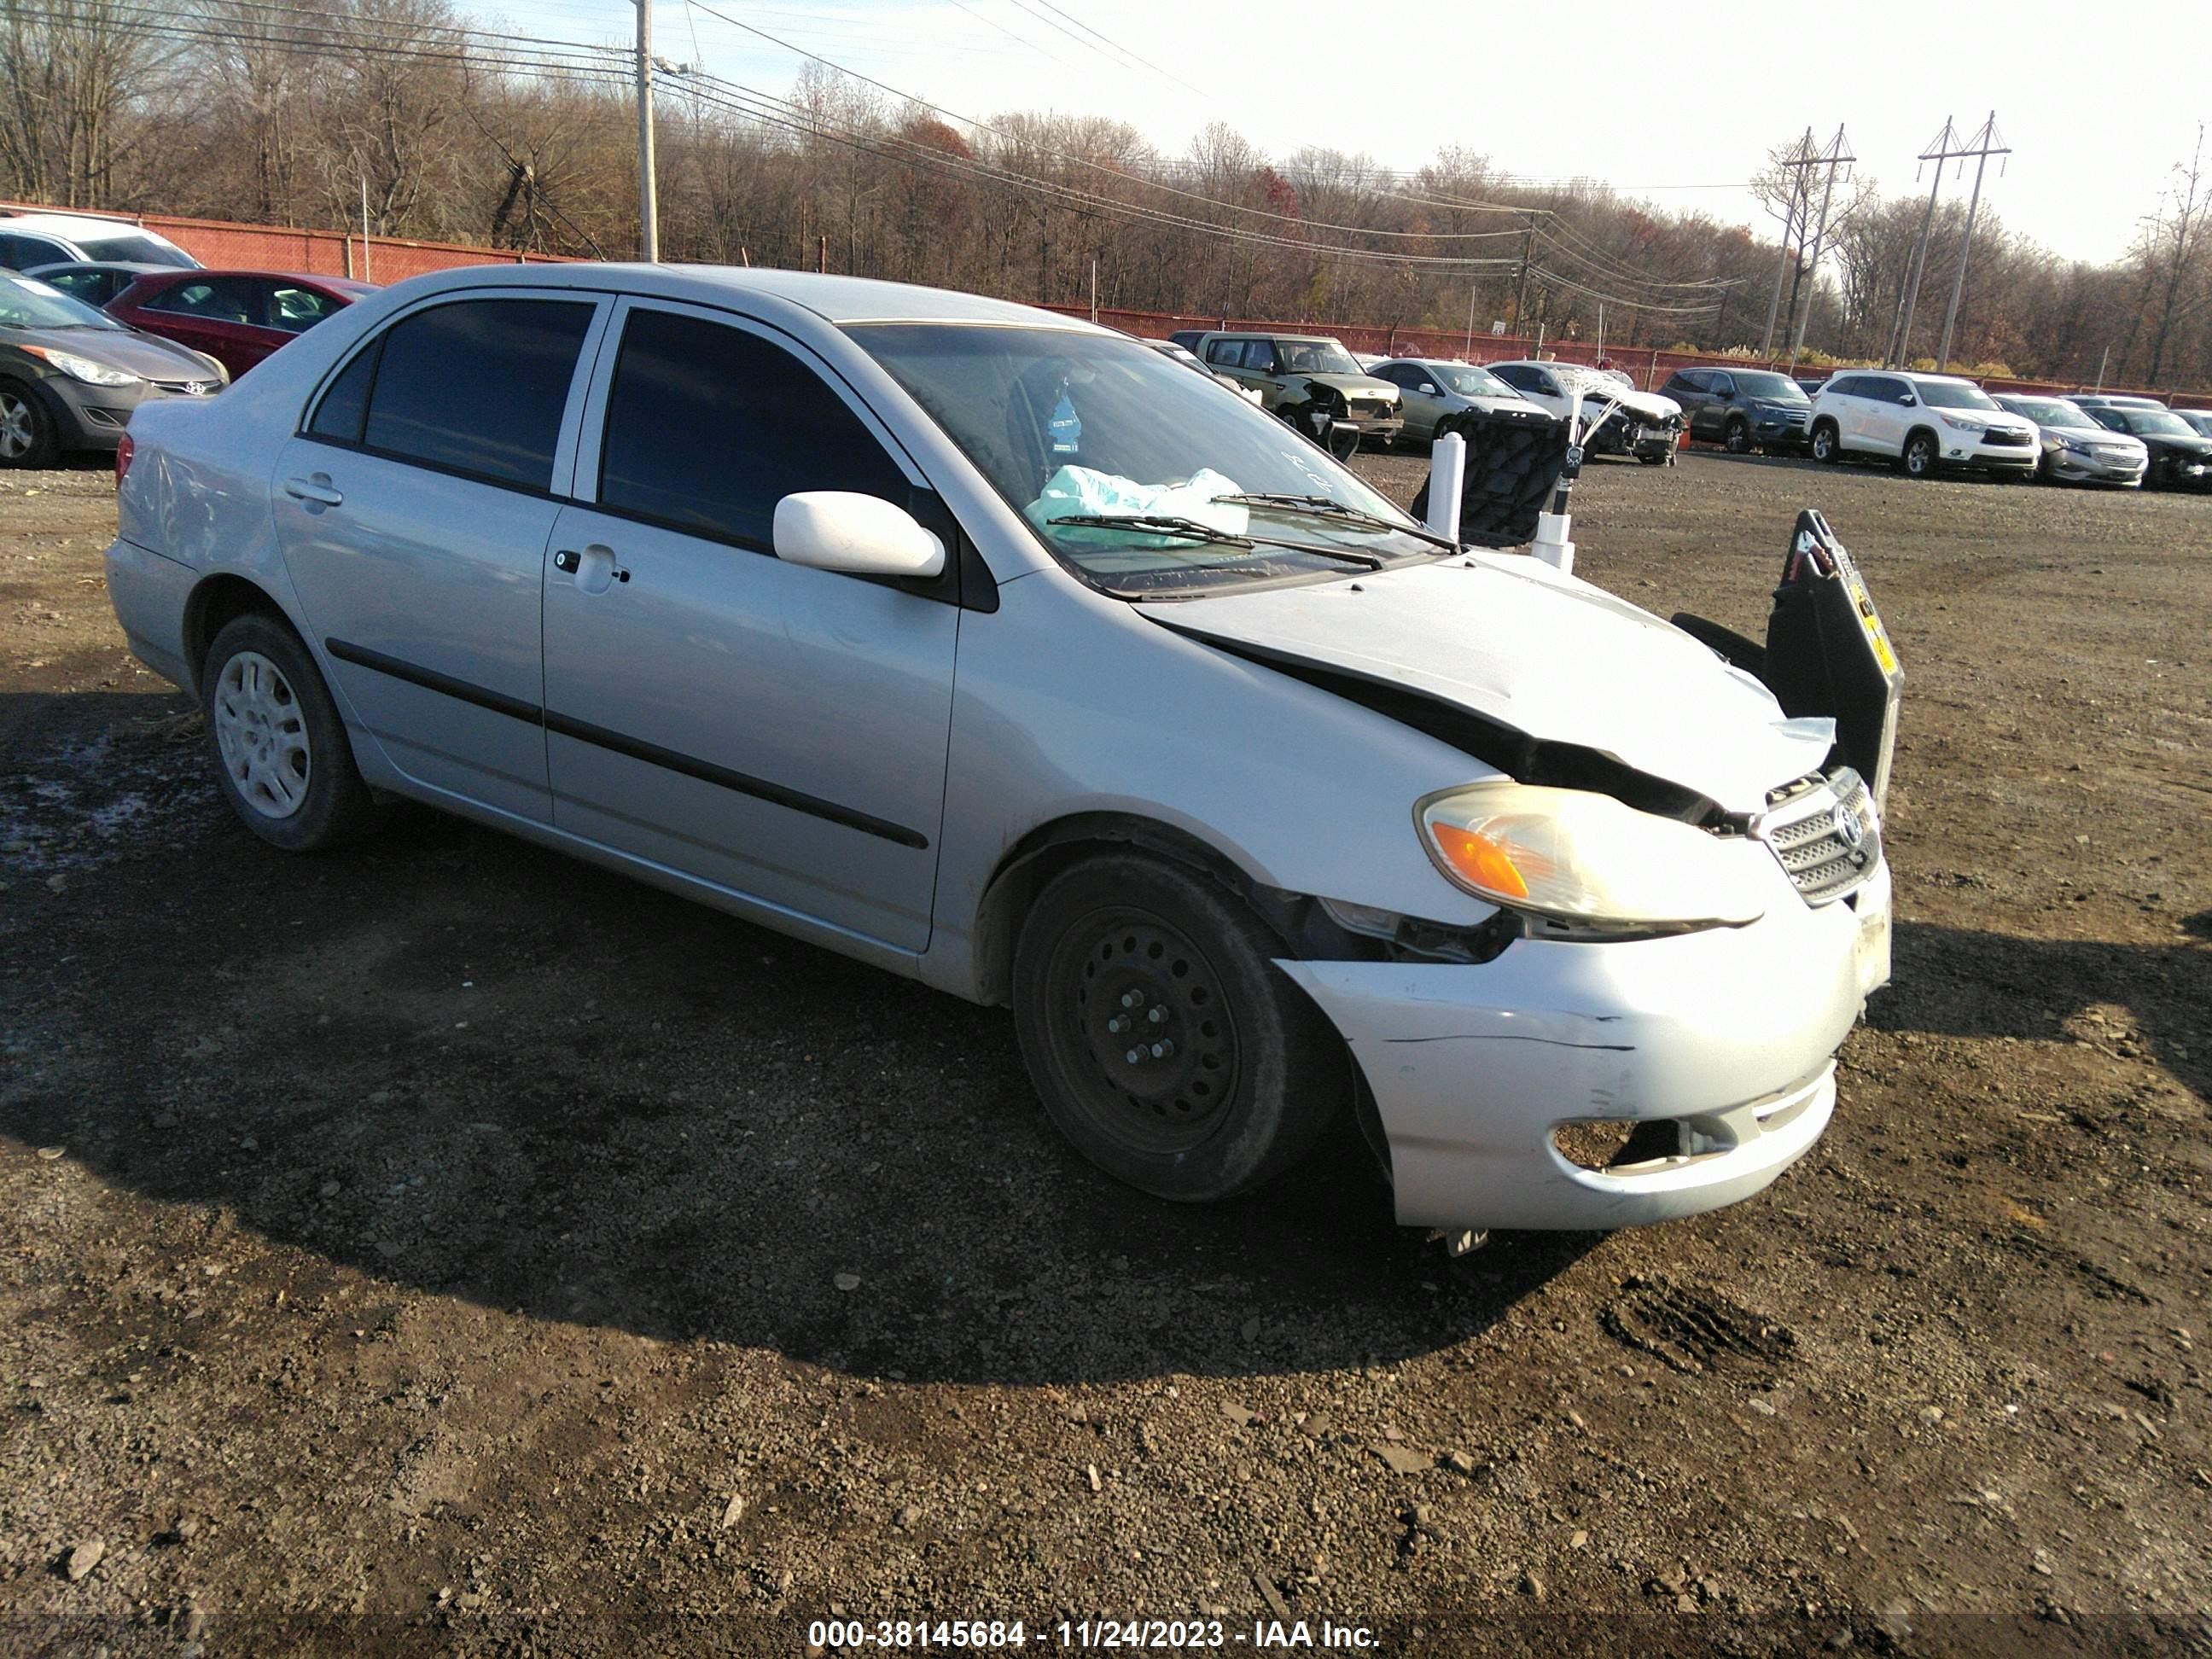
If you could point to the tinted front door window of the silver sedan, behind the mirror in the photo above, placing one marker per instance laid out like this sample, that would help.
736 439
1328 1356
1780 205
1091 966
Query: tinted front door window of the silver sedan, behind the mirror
709 428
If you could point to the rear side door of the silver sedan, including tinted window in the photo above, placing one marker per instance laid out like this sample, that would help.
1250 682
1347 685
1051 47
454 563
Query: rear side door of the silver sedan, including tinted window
415 512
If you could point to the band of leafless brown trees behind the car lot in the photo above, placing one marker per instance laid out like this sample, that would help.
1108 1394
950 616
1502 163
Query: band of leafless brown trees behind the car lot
295 112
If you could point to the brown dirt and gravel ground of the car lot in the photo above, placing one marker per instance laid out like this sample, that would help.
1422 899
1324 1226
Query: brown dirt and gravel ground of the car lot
441 1246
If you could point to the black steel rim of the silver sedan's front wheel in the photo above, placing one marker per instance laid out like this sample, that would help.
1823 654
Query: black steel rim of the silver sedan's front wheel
1145 1030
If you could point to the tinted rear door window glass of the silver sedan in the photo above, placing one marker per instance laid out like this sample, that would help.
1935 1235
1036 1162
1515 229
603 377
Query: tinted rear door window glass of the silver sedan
479 388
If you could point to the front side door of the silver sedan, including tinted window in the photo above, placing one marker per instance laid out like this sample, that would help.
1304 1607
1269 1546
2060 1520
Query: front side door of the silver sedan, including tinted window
762 727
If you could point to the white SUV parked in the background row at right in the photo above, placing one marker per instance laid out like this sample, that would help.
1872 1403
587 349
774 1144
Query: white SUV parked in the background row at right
1921 421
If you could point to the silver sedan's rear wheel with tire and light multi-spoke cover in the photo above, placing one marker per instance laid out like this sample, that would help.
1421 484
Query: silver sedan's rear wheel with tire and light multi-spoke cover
278 742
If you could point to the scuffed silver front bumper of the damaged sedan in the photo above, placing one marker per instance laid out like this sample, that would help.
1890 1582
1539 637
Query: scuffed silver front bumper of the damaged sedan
1731 1034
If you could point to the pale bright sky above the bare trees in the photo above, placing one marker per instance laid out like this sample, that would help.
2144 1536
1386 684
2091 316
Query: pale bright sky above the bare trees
1671 103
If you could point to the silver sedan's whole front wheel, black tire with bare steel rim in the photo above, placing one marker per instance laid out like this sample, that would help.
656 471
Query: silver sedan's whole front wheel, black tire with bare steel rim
1253 1072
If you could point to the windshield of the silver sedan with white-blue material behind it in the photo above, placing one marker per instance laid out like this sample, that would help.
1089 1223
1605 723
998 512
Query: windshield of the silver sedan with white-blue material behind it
1078 426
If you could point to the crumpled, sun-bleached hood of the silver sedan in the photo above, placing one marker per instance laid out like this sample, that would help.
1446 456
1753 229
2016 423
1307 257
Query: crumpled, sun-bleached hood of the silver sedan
1545 654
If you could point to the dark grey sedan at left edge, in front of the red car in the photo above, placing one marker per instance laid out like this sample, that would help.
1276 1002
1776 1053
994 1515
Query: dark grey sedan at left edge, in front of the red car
72 375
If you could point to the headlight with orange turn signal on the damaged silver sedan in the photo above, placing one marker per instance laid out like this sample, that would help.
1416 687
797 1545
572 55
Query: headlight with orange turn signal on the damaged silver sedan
1589 859
